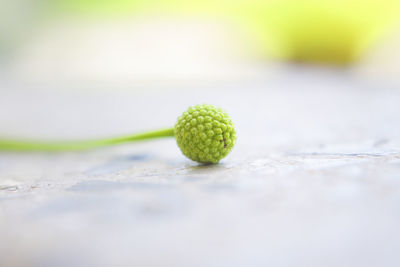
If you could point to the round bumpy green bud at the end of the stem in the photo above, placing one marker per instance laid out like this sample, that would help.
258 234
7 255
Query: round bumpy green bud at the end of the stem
205 133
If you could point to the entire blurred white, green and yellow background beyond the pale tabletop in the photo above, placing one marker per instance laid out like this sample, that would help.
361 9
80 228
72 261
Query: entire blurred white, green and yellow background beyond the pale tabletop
131 42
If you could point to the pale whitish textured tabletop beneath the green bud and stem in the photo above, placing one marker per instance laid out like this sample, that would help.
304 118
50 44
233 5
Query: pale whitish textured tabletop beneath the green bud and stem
314 179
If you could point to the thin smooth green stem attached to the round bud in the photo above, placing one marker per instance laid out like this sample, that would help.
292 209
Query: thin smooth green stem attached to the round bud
24 145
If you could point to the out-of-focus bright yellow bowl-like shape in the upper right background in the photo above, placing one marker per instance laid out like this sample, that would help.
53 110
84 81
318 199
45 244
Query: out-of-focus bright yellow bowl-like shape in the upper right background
333 31
